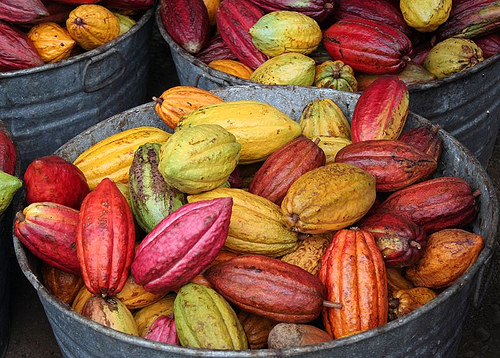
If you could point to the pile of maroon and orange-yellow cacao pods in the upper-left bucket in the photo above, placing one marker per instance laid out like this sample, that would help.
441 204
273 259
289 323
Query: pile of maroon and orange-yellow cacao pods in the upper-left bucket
36 32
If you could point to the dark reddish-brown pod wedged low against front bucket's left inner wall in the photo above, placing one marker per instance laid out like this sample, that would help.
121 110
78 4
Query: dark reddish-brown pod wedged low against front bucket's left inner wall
64 285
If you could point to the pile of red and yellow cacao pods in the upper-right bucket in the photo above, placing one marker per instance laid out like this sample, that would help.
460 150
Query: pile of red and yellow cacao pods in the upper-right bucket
340 44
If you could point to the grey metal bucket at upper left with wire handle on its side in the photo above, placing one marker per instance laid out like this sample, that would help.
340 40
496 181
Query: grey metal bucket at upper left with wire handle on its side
46 106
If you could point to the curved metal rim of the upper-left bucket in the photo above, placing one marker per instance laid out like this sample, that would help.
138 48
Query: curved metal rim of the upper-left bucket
108 46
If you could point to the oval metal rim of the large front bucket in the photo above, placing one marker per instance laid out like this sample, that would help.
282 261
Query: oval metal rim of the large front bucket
485 255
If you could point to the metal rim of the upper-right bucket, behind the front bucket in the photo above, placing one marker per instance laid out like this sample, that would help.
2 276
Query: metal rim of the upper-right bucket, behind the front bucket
227 78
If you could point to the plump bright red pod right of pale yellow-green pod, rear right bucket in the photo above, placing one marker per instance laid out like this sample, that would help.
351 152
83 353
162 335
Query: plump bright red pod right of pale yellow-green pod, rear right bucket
368 46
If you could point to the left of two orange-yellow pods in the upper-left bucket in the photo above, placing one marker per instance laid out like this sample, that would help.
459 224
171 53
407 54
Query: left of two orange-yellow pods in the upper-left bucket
52 42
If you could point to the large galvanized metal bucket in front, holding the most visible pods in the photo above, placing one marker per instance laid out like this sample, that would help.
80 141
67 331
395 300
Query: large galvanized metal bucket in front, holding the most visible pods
433 330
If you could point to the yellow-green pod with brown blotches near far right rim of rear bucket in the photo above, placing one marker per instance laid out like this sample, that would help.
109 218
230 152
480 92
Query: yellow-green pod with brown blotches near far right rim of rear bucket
451 56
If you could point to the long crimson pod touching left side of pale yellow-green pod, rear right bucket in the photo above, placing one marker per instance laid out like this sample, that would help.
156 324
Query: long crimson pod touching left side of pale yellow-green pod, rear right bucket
234 19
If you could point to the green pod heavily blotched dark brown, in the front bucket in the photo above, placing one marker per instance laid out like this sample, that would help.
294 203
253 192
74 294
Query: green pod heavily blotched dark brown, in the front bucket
151 197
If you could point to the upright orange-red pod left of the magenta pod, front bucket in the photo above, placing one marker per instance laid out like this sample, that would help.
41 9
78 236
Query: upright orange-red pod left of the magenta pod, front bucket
105 239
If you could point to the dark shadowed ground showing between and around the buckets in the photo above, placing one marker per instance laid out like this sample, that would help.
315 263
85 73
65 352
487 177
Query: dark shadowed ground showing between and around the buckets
31 335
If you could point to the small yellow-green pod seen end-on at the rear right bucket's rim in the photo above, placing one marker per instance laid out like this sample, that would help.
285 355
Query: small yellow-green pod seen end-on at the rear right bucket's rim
335 75
